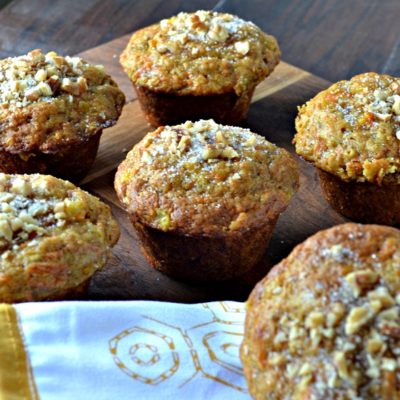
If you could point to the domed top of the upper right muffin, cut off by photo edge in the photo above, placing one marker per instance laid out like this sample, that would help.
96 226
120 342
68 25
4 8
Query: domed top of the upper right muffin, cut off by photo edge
352 129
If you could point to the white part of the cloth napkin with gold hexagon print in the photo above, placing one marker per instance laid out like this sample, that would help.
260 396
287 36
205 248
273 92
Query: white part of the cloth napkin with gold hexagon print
134 350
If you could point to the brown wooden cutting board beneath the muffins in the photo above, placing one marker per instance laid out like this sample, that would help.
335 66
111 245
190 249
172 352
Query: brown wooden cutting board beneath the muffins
272 113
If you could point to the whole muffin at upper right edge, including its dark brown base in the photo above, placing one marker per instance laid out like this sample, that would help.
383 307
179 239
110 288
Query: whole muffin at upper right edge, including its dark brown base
351 133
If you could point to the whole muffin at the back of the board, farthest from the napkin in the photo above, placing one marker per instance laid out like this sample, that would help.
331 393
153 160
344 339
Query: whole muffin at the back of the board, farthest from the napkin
201 65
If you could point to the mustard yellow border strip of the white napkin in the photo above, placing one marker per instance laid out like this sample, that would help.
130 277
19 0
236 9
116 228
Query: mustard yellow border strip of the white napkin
16 376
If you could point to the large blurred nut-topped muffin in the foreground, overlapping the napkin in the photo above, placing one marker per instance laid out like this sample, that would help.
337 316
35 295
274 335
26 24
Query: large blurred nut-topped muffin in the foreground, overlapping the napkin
324 324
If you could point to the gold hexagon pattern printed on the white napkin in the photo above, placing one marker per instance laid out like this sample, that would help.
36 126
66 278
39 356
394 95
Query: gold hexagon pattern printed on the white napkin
151 356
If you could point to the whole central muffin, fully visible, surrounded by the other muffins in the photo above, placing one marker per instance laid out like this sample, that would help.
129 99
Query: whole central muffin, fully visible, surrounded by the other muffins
204 198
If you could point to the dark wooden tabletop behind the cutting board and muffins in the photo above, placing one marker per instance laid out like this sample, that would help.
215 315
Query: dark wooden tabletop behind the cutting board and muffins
334 39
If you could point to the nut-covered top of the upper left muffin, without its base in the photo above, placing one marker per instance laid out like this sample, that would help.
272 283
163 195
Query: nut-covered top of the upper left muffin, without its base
48 101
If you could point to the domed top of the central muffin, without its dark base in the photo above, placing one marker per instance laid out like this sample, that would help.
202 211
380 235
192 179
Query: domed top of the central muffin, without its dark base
205 178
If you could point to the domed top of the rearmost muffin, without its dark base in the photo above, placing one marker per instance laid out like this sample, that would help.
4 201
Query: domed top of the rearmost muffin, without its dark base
201 53
